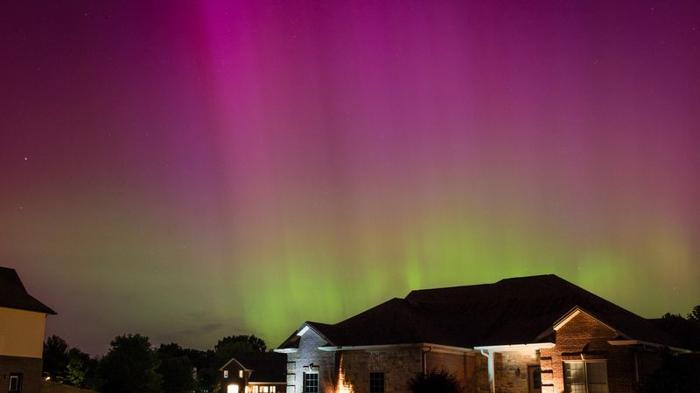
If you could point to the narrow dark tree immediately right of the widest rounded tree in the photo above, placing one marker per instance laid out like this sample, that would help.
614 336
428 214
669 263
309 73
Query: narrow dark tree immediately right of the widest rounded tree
175 368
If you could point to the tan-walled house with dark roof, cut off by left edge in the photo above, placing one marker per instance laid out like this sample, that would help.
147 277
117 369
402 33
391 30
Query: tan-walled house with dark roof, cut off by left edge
22 324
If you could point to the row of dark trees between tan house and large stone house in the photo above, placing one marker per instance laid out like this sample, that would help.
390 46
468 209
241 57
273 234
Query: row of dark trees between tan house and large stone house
132 364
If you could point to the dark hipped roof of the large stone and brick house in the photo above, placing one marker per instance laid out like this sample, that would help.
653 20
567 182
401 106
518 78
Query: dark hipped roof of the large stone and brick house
511 311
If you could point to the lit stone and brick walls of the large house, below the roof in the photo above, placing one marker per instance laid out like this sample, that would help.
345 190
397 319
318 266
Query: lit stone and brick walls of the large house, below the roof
583 337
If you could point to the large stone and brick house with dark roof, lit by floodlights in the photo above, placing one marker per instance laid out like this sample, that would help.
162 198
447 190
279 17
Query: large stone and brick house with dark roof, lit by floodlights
525 335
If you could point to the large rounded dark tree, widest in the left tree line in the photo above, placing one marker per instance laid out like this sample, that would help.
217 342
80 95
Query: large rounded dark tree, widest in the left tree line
130 366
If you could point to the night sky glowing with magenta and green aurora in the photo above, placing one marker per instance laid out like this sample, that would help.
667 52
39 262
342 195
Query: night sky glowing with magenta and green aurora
189 171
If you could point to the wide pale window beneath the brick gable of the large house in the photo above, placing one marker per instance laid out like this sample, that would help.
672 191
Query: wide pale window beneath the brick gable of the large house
586 376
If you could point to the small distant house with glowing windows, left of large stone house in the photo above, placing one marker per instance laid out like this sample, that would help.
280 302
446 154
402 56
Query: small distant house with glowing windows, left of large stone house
264 372
